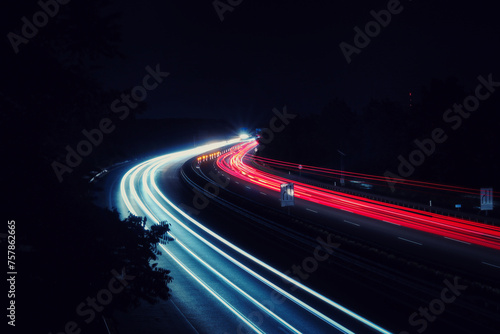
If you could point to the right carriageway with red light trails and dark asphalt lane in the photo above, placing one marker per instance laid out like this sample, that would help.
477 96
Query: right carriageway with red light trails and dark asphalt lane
449 242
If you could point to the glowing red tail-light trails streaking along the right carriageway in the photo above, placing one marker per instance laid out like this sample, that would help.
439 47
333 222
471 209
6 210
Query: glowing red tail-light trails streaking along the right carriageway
450 227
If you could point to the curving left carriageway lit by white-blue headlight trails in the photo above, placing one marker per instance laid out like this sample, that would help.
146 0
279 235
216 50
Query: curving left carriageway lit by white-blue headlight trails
219 279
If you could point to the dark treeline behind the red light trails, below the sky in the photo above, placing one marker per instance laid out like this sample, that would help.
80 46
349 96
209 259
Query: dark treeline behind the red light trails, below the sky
374 138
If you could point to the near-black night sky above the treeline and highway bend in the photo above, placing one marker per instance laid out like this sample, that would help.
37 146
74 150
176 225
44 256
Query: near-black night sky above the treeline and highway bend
267 54
